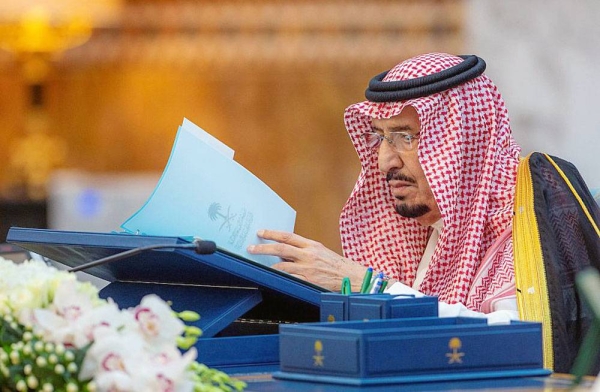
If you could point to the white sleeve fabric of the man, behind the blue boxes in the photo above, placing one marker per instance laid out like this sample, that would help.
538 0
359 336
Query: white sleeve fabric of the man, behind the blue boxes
505 310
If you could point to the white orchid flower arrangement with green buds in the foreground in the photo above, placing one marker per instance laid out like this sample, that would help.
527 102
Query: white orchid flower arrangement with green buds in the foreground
57 334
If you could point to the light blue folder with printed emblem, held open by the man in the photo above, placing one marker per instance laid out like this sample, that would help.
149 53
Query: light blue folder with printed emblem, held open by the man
204 193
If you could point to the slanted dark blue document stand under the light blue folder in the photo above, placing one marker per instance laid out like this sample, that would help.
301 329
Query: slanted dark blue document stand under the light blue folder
240 302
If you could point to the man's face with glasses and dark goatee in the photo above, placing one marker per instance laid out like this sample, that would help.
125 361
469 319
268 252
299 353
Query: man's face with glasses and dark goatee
403 171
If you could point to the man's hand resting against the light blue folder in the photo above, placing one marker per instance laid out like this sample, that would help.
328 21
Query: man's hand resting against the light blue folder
309 260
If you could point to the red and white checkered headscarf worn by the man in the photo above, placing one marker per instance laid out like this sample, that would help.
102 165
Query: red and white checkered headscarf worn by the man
470 160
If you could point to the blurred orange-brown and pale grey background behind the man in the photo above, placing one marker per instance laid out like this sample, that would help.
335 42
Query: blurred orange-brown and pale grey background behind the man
92 93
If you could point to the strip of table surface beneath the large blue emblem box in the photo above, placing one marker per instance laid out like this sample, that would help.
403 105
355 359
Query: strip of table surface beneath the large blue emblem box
264 382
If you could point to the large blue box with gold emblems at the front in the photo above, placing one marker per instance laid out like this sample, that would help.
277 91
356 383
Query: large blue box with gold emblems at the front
409 350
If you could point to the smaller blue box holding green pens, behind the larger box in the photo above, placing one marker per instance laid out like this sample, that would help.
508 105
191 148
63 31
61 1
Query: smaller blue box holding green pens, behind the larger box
338 307
